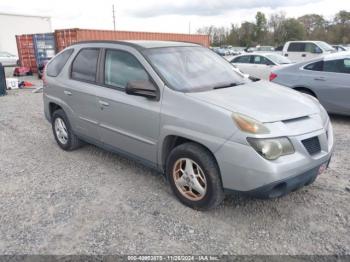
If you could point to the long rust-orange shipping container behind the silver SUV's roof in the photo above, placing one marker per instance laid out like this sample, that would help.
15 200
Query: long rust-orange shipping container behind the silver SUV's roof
67 37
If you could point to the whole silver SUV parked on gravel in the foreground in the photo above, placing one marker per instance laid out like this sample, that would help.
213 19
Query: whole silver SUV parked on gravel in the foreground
184 110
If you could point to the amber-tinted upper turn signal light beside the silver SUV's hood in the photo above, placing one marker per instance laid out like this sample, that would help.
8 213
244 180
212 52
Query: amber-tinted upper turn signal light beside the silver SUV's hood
249 125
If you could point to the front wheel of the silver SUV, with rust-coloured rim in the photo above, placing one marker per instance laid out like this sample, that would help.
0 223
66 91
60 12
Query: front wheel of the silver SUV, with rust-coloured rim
206 172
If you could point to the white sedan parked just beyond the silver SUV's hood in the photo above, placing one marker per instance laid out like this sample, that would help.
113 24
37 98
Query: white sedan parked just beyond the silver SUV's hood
260 65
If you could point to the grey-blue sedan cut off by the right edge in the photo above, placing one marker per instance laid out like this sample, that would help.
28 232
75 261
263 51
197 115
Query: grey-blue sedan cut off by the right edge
326 78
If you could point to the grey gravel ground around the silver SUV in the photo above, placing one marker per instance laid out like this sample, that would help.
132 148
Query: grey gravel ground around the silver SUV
93 202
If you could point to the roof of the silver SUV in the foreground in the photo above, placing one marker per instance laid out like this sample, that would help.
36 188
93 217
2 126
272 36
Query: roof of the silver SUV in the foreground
142 44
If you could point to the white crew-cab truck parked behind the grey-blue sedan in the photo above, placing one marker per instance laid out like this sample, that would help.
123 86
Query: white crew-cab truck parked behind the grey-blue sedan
298 51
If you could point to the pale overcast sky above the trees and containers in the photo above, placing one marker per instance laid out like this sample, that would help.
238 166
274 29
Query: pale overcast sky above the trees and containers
164 15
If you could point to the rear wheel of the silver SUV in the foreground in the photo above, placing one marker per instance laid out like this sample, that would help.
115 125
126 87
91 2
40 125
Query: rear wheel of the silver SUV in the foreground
72 141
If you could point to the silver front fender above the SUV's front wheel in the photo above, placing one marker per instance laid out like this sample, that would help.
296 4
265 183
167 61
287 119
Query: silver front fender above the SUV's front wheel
195 120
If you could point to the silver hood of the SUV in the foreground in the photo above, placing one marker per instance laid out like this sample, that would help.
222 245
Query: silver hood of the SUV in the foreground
262 100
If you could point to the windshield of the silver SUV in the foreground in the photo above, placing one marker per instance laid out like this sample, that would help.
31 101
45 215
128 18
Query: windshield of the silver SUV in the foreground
193 69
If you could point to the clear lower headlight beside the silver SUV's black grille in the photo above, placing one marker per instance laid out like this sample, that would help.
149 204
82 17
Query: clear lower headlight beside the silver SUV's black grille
272 148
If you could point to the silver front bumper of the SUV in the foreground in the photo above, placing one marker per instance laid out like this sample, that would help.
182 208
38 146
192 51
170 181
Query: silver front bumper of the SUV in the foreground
244 170
